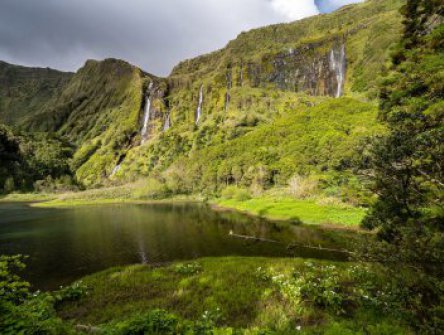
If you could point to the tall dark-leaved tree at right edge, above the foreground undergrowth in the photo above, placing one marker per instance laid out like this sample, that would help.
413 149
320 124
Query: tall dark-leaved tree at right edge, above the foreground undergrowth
409 161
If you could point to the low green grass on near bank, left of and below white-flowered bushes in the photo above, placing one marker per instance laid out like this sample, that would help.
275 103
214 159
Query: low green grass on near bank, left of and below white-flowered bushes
228 287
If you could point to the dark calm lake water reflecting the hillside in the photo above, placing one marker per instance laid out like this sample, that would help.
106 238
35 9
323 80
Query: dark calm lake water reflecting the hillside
66 244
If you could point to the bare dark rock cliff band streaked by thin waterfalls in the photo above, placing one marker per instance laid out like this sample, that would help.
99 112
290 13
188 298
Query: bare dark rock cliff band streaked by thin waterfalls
318 69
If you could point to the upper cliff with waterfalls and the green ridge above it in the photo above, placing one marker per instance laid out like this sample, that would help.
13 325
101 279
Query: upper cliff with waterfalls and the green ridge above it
327 55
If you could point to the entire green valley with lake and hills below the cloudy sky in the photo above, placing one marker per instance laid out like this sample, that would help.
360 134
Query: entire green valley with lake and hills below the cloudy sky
288 183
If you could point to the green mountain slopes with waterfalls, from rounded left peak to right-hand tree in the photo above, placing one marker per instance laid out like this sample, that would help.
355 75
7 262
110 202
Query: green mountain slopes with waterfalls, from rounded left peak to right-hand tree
126 124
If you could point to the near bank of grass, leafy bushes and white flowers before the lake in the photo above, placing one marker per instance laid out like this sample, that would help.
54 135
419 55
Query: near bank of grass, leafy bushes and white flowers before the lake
222 296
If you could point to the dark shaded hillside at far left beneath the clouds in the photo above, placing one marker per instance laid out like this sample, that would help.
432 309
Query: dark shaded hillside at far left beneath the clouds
24 91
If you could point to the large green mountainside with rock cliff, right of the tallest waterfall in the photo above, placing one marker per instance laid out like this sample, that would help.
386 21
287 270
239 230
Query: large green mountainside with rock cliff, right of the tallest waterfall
267 74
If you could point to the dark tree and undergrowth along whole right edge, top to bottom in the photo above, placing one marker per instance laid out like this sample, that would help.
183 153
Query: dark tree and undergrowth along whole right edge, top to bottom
408 162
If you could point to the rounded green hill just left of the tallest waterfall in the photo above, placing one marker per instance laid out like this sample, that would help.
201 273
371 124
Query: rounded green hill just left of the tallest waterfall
99 111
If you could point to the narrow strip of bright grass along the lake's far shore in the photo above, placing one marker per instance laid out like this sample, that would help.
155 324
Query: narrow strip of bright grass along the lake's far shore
307 212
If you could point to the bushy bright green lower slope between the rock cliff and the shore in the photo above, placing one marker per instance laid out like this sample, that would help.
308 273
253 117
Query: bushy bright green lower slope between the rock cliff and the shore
323 141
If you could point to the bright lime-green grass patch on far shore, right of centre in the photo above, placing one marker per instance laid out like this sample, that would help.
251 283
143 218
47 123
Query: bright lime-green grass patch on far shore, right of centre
307 211
